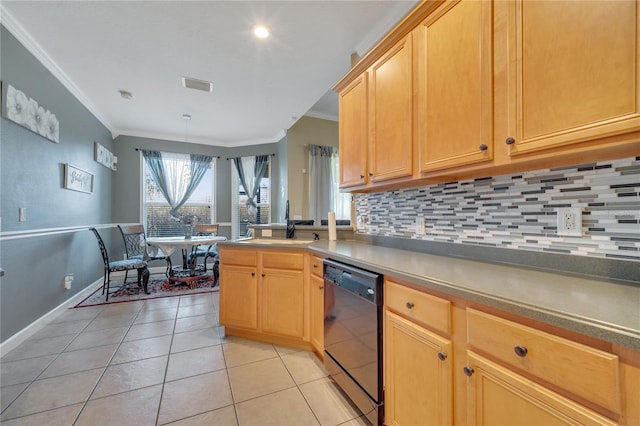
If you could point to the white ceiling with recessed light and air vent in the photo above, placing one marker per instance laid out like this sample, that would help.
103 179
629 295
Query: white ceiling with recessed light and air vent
261 87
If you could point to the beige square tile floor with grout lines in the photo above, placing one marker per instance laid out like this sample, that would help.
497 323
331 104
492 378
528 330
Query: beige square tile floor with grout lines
162 361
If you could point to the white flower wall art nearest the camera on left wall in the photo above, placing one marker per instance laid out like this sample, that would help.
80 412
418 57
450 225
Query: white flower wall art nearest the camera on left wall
21 109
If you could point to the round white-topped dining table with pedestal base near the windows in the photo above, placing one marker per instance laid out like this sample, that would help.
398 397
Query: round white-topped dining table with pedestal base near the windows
189 272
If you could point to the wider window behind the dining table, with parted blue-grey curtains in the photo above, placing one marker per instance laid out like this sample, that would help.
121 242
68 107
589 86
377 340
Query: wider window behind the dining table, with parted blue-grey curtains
155 209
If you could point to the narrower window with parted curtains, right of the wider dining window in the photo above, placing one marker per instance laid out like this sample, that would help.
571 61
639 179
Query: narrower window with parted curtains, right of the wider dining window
242 215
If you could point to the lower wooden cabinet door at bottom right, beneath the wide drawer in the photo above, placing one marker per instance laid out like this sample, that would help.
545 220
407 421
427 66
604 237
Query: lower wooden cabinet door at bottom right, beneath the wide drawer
498 396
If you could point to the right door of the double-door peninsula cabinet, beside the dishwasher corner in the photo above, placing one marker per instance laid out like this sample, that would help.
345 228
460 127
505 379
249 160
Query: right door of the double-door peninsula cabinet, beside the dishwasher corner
282 302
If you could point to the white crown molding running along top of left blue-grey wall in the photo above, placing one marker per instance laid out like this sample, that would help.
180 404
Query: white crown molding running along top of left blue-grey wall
16 29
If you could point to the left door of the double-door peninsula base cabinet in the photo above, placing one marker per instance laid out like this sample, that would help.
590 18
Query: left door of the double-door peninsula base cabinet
239 296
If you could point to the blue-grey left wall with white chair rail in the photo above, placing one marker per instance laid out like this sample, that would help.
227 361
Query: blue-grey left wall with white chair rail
31 176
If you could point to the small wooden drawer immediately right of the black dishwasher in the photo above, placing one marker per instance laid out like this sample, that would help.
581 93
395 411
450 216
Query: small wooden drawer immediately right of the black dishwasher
431 311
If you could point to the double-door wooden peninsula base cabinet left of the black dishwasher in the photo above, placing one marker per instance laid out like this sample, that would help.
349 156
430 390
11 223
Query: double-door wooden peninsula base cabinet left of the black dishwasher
264 294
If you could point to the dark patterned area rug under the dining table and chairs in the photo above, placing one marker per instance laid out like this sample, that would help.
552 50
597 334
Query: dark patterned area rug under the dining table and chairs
158 287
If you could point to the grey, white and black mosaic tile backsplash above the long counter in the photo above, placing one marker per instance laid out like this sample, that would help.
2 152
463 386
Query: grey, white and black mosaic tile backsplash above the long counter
519 211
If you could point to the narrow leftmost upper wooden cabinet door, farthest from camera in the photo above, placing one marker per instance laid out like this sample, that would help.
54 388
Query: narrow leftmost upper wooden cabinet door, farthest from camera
352 133
